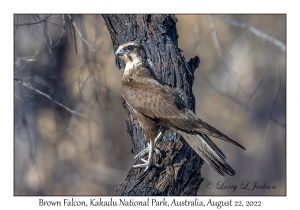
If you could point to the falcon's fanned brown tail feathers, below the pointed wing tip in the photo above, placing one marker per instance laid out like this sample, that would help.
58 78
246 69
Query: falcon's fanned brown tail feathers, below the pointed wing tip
208 151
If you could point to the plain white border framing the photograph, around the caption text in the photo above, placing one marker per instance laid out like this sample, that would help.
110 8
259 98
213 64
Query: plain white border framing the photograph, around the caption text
8 201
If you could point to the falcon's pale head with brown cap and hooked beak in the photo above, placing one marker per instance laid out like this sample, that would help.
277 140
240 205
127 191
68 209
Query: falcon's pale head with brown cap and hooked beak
130 52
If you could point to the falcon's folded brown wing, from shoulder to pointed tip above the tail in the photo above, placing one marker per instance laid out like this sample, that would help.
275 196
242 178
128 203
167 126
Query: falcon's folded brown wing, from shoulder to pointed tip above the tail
158 102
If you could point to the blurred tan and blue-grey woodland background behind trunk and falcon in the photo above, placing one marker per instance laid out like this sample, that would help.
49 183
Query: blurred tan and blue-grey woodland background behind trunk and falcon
70 132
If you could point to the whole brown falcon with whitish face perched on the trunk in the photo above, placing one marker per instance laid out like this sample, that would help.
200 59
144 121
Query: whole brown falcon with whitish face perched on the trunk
155 103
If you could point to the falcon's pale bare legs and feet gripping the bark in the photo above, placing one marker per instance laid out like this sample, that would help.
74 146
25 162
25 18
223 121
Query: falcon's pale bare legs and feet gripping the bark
151 147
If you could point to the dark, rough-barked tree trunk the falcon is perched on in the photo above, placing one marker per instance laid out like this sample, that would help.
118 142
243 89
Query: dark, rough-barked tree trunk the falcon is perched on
179 173
